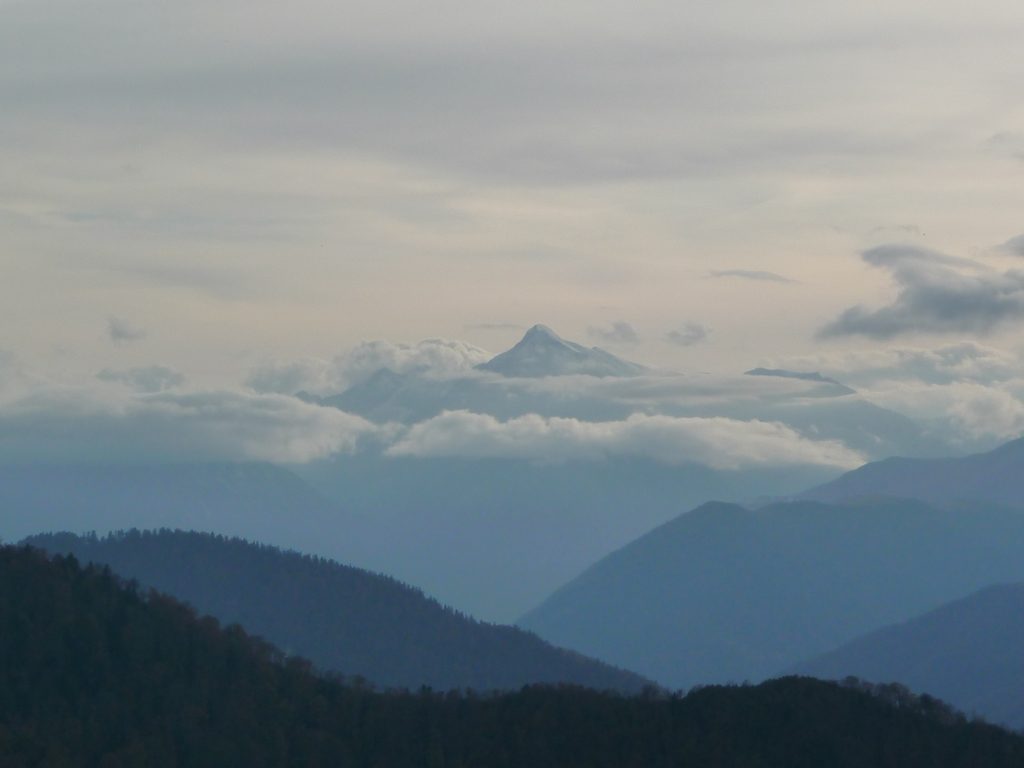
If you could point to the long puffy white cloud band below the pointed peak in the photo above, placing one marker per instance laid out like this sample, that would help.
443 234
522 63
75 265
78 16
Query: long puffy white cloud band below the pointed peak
717 443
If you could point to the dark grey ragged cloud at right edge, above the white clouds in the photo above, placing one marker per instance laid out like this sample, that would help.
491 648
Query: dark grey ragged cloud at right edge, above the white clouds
938 294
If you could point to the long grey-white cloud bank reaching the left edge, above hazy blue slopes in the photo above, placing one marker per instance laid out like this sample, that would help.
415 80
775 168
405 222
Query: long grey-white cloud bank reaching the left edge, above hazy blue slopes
81 425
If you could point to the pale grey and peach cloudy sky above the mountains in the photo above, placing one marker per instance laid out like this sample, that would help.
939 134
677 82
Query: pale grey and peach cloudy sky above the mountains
195 194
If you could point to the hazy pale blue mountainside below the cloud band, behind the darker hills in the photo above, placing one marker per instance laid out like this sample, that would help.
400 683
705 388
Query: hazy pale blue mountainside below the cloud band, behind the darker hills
490 537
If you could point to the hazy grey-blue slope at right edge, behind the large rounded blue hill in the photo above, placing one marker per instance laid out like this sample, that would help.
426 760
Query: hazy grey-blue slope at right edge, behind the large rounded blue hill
995 477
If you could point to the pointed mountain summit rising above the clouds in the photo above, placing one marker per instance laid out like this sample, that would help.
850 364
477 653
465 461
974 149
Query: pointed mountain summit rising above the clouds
543 353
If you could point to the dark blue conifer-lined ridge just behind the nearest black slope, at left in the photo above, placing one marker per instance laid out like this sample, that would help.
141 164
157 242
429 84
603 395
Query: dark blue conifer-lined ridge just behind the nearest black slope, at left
343 619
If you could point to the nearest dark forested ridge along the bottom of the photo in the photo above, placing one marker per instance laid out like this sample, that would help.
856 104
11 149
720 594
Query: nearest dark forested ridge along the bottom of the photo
94 674
